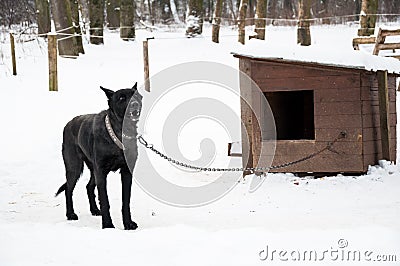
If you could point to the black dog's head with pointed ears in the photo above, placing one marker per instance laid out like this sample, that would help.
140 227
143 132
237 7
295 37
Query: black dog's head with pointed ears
125 101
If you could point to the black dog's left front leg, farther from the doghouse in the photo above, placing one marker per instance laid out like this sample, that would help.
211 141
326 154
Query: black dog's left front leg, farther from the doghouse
101 183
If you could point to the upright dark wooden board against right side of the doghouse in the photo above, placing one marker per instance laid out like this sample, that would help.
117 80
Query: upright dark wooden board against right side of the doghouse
384 113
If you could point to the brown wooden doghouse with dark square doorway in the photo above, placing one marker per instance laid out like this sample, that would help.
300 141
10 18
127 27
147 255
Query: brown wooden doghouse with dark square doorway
312 104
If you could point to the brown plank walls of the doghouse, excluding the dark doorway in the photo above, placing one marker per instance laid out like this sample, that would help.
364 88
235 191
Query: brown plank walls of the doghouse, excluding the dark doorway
345 99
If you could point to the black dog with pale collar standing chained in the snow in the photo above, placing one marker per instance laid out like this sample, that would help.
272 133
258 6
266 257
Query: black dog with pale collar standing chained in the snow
96 140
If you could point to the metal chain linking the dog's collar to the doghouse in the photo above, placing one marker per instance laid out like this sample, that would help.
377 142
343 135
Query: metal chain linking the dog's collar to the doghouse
329 147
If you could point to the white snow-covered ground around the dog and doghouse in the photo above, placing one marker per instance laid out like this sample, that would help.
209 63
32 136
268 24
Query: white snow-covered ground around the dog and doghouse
285 218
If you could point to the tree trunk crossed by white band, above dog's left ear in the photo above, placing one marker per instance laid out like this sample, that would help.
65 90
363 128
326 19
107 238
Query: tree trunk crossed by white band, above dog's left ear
96 17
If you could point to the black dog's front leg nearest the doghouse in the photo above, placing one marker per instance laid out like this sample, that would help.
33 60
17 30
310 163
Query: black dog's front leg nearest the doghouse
126 178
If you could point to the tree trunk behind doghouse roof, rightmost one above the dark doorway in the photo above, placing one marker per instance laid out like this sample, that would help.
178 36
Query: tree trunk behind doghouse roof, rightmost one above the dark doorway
303 30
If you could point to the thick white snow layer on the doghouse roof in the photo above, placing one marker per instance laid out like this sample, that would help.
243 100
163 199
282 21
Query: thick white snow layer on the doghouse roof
341 57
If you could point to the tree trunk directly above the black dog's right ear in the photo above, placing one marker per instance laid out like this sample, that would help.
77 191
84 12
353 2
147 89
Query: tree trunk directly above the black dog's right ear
127 31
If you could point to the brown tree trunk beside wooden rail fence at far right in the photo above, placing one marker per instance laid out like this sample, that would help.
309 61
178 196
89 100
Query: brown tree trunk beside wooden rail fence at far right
369 9
